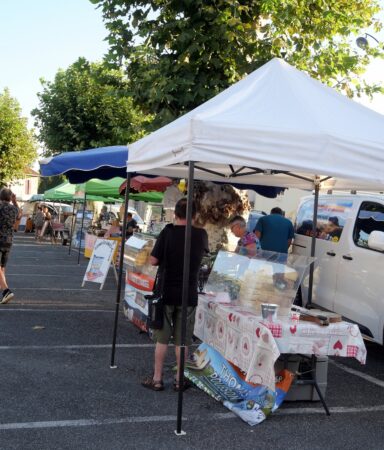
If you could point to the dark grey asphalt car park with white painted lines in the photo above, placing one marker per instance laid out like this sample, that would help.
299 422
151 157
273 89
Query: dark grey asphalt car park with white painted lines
59 392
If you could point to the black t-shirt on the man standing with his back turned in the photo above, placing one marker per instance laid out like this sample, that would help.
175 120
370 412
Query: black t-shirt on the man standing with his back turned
169 247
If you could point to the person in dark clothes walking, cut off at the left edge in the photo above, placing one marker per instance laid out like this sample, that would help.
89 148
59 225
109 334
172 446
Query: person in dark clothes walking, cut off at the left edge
9 213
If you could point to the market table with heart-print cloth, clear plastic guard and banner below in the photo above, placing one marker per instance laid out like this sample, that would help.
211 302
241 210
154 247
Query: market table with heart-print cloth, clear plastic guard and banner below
245 315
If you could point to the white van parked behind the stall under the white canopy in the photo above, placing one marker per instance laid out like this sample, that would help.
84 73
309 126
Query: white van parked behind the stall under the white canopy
349 269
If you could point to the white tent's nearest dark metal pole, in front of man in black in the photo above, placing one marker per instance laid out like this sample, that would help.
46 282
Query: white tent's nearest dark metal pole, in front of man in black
184 304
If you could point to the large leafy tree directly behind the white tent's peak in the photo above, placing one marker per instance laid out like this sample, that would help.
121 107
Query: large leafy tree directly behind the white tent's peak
179 54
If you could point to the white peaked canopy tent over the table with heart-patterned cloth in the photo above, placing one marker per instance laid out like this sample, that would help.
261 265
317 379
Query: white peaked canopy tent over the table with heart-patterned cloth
276 127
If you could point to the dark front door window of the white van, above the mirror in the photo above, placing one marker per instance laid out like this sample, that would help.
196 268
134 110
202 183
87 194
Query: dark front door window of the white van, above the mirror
370 218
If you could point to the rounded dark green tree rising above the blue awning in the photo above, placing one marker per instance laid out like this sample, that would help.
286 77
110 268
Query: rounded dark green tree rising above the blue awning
86 106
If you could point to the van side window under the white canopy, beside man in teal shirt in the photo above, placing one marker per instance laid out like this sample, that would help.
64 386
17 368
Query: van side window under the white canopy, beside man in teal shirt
331 217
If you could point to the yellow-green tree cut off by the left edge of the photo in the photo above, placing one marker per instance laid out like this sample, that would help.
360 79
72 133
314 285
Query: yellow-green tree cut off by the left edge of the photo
17 146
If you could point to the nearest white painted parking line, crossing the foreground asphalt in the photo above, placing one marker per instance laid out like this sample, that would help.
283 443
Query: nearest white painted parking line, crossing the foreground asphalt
146 419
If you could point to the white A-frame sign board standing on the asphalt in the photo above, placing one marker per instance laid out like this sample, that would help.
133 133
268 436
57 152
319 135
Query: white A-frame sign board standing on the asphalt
100 261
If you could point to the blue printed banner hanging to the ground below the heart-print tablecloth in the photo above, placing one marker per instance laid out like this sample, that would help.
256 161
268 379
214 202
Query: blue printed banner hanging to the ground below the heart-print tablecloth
225 383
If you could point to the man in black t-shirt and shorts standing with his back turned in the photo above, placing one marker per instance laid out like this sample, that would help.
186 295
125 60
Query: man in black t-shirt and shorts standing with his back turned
169 253
